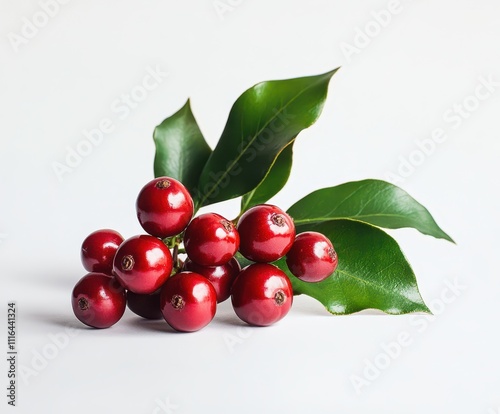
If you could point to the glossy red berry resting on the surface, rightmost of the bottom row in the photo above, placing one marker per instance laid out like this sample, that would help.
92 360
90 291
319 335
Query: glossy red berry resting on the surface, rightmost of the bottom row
261 294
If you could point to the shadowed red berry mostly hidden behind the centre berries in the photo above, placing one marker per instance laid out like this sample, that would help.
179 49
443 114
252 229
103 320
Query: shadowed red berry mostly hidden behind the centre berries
221 277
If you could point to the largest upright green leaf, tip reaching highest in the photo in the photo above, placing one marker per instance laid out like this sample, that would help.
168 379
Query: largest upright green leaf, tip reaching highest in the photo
263 120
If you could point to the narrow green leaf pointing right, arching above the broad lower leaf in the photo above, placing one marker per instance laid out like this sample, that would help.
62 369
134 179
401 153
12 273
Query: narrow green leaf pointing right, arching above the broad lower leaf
371 201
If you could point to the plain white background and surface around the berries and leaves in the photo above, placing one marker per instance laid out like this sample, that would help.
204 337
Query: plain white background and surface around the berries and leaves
396 88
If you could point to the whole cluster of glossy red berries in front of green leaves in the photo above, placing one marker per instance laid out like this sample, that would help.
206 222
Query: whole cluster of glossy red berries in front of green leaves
146 274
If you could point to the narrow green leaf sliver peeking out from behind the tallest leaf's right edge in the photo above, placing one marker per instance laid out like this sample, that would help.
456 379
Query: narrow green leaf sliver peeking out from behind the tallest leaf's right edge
273 182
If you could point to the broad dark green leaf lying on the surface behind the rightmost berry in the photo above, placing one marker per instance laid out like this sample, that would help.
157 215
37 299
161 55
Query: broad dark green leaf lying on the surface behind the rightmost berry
372 272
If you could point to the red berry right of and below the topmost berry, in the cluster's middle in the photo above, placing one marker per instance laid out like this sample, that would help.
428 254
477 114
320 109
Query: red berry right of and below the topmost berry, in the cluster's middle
211 240
